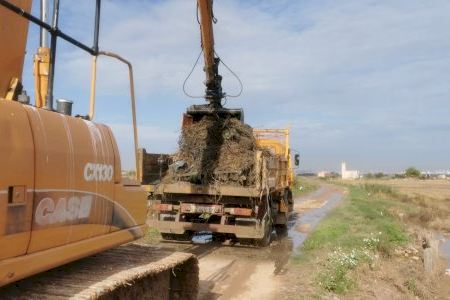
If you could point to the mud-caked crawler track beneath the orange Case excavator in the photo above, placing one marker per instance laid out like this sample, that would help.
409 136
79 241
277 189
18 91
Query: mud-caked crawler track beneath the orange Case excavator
131 271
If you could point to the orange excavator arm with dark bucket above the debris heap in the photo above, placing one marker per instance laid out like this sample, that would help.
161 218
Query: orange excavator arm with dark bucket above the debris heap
213 81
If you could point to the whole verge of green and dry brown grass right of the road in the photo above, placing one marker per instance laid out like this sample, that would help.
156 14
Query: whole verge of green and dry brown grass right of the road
370 247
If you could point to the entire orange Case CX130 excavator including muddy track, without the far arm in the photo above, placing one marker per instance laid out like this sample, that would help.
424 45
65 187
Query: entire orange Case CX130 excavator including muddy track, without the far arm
62 195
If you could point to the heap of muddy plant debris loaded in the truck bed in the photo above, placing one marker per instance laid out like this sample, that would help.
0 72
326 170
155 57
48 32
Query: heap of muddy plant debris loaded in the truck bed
215 151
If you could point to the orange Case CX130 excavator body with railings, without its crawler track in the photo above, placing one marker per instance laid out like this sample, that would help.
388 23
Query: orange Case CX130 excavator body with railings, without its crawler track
62 196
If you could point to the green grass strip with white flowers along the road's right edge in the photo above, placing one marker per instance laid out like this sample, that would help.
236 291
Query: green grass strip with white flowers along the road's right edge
358 231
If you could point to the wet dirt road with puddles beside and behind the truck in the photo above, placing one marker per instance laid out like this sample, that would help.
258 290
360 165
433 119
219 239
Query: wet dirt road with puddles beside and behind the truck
235 272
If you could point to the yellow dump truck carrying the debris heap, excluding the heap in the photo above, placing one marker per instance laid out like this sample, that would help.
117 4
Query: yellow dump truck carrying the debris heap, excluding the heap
247 214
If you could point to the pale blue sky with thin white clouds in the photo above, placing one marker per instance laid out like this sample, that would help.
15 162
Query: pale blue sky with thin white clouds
363 81
